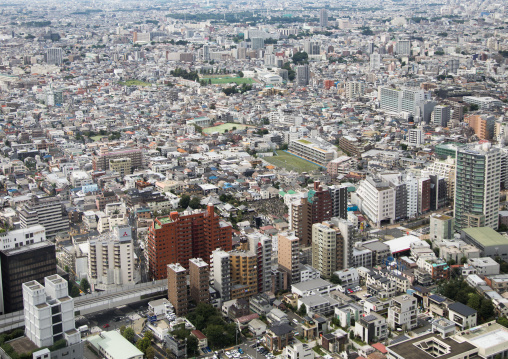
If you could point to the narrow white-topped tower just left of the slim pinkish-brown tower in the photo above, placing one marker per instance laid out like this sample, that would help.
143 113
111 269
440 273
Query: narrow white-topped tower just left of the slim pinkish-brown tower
261 245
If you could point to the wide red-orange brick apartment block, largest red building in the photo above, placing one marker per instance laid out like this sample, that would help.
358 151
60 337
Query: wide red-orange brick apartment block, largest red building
179 237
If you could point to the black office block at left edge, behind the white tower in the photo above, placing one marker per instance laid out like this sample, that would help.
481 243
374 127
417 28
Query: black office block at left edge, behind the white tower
24 264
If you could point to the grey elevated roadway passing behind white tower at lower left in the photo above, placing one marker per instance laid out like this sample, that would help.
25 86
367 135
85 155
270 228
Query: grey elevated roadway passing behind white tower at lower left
96 302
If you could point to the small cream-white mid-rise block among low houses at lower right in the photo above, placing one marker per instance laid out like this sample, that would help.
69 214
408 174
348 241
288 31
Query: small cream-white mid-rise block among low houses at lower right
403 313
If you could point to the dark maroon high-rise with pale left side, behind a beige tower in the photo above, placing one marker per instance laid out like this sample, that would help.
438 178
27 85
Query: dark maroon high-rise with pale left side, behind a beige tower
316 207
